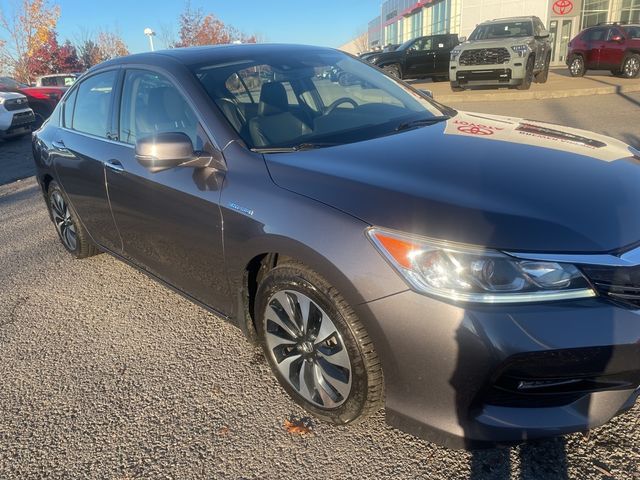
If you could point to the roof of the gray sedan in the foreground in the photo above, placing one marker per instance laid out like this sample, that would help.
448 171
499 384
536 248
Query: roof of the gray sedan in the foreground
218 53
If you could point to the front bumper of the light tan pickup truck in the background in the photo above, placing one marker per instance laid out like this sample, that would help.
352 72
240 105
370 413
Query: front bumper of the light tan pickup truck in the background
511 74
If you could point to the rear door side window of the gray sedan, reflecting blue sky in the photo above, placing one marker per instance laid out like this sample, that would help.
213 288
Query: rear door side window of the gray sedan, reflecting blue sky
92 104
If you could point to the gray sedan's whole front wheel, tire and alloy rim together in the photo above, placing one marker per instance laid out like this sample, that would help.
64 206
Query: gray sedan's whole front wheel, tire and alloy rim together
316 346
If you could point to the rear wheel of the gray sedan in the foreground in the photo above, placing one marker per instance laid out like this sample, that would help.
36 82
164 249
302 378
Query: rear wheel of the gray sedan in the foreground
83 247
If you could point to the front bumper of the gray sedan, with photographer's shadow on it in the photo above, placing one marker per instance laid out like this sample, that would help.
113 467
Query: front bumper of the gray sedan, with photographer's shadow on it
452 373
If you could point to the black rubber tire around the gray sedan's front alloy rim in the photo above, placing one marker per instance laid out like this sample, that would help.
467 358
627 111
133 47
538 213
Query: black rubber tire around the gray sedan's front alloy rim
365 395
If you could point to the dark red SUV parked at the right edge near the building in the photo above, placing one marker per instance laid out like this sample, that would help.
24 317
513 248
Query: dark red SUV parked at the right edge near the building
612 47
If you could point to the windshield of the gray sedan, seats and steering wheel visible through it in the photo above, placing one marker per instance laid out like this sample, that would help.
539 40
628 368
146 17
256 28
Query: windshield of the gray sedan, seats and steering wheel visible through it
316 97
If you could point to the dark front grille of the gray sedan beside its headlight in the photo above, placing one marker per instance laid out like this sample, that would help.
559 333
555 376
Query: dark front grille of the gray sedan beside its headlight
618 283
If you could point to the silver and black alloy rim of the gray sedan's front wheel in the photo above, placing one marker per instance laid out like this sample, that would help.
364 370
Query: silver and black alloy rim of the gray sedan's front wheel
307 349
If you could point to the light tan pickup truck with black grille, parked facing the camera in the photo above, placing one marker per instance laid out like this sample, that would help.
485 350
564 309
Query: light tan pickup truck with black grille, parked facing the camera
510 52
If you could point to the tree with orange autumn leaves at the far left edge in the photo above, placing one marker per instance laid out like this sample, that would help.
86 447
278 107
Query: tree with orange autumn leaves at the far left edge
28 31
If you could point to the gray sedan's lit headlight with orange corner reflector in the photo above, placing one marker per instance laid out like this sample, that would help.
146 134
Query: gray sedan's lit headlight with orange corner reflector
473 274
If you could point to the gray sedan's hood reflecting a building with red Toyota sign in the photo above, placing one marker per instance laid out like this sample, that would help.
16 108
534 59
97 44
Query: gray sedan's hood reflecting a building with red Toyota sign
484 180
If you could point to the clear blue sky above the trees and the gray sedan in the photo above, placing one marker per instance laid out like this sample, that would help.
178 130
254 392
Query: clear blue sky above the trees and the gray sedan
324 22
